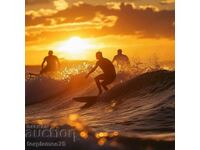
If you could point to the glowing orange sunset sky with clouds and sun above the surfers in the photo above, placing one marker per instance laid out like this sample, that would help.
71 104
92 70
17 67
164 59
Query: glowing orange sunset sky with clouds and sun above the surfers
77 29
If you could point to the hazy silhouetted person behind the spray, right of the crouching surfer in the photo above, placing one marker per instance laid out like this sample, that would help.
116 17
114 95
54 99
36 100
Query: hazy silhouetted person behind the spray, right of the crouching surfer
121 59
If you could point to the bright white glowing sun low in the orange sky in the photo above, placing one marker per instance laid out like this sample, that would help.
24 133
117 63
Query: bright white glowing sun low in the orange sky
74 46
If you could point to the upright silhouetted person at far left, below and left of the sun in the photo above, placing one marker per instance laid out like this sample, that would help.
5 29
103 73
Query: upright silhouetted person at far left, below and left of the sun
52 63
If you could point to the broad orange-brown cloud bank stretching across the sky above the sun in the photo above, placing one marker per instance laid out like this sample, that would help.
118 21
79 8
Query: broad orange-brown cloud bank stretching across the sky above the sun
98 20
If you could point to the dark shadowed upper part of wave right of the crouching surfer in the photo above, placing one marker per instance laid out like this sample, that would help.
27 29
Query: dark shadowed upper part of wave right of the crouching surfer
148 83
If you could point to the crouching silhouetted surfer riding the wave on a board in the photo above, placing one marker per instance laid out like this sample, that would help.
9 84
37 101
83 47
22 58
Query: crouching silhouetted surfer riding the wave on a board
109 73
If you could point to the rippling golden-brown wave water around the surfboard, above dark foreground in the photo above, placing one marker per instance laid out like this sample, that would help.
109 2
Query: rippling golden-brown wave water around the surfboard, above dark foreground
136 106
